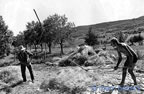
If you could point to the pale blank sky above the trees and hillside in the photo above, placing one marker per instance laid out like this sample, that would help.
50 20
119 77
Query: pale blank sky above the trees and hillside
16 13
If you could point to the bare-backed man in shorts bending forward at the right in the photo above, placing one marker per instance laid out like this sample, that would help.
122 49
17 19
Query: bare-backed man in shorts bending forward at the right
130 61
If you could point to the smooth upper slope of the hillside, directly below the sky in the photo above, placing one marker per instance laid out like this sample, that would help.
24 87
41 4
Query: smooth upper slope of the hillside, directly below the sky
128 26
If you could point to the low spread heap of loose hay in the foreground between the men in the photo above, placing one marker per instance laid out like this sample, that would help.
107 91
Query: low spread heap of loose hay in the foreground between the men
70 81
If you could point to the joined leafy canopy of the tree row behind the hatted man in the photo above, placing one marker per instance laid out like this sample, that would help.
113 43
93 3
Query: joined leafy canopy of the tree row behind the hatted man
55 29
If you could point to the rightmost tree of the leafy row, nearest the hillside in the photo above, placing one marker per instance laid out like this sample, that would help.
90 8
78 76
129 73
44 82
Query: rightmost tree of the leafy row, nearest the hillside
64 29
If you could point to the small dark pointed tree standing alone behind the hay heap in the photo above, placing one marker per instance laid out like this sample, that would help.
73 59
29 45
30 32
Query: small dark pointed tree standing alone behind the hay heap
91 38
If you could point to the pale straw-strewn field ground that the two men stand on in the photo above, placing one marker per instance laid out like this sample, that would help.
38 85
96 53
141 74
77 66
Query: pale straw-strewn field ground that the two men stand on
51 79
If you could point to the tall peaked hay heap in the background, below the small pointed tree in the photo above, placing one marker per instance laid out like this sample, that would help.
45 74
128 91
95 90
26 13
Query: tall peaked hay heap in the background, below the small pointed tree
87 57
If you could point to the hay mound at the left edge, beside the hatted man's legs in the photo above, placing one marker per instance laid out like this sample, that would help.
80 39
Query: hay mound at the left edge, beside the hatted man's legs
9 77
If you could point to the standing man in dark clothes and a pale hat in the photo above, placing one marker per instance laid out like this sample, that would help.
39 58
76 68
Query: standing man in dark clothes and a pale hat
24 58
